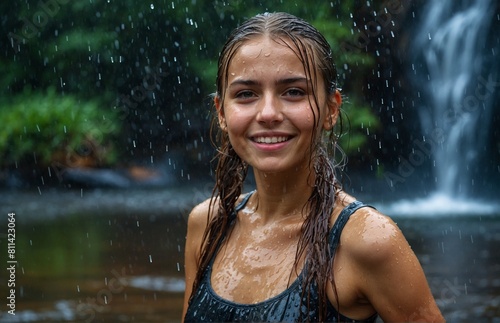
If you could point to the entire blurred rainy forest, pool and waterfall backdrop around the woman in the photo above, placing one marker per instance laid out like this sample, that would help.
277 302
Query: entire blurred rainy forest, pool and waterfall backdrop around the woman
105 144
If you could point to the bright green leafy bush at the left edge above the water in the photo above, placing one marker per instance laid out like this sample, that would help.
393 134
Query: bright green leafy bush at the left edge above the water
46 125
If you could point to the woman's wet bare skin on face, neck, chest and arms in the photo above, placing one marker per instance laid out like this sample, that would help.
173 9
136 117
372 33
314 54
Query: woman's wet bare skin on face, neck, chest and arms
267 114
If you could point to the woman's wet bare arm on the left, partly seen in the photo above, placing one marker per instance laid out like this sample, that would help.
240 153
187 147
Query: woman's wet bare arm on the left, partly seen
197 223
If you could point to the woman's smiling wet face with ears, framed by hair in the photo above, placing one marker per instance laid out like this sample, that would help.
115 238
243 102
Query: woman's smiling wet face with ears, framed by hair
268 108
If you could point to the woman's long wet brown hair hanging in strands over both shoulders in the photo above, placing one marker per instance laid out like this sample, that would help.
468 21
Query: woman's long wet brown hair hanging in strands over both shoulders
315 53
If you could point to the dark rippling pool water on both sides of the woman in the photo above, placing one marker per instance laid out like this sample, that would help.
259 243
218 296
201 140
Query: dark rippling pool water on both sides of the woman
117 256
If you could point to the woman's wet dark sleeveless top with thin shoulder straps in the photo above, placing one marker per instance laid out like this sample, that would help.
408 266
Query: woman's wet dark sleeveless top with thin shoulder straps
207 306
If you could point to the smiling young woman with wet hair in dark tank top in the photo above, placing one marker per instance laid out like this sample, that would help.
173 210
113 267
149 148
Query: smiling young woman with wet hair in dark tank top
297 248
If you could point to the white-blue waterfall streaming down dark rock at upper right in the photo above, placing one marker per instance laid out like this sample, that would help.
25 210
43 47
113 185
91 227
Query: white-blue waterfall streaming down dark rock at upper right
449 43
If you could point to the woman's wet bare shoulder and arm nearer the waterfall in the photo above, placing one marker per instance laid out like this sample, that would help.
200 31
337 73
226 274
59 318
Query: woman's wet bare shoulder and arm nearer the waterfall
391 277
